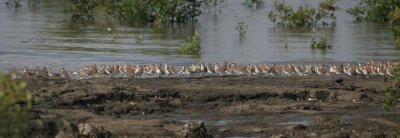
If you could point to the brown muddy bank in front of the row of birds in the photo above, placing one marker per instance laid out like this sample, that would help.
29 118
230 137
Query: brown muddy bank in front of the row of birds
313 106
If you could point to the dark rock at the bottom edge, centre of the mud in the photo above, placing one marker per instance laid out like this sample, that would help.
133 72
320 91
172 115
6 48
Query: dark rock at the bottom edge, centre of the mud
192 129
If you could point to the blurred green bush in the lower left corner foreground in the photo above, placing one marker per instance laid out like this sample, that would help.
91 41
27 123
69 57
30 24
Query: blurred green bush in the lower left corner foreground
15 101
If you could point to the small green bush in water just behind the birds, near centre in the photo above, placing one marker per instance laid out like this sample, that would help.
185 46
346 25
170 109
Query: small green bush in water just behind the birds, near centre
192 45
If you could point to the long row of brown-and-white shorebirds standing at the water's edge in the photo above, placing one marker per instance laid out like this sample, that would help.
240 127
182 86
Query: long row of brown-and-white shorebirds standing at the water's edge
158 70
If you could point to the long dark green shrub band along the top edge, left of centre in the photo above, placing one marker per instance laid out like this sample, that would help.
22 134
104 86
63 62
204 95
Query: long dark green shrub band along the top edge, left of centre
137 10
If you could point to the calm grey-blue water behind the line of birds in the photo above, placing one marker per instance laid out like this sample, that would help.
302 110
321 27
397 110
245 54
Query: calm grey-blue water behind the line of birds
43 35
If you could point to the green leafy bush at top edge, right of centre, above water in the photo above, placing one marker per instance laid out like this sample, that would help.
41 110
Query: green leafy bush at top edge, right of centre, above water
285 15
